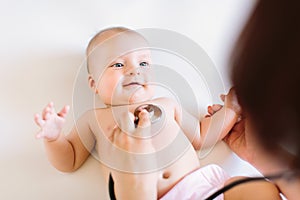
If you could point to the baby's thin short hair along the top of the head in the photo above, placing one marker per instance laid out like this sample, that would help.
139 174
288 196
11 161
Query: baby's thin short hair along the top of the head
93 42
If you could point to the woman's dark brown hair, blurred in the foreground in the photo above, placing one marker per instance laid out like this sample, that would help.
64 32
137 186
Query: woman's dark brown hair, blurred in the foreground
266 74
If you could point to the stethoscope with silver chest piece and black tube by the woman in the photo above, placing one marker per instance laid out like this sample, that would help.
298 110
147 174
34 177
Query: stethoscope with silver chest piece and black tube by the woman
155 114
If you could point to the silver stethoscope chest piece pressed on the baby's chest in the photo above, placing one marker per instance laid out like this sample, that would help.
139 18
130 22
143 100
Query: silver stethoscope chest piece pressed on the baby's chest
155 113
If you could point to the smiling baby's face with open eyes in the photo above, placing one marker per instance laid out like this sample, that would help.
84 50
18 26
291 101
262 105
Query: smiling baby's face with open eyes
125 78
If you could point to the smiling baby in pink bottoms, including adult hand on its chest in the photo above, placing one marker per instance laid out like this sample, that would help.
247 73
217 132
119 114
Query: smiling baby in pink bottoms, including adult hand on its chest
119 68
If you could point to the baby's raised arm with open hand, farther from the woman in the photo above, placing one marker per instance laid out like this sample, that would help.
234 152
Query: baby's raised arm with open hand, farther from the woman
66 153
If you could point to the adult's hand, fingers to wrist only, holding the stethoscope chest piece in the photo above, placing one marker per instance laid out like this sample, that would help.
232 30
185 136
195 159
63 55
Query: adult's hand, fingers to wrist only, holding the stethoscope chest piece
131 147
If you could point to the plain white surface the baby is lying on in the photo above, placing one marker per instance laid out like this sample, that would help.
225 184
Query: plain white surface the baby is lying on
42 48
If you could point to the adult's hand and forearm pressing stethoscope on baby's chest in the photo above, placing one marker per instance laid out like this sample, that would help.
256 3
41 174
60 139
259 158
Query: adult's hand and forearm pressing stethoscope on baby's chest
137 177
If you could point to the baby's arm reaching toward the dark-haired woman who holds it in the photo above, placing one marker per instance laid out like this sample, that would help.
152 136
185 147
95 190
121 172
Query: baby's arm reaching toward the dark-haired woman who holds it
212 128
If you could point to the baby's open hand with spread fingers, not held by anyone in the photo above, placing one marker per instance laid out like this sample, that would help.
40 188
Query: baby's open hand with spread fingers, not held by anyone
51 123
